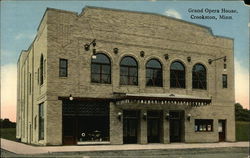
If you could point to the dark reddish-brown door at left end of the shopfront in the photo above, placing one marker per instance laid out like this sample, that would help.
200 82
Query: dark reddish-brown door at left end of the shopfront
69 130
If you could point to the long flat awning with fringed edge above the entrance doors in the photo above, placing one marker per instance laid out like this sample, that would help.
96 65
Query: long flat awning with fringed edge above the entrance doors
161 98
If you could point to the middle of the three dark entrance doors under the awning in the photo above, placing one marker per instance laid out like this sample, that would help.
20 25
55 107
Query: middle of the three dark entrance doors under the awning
154 122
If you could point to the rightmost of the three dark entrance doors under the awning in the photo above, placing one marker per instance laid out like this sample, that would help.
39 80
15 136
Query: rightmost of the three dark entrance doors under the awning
176 125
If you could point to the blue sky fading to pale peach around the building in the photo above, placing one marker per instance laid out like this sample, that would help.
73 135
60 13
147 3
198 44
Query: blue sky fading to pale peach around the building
20 20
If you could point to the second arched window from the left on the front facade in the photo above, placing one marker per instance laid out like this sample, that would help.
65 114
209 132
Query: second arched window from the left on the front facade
128 71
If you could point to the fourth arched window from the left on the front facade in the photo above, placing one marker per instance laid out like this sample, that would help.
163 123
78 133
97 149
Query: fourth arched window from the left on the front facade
177 75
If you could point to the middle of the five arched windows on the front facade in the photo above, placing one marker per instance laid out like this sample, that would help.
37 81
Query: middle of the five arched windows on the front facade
154 73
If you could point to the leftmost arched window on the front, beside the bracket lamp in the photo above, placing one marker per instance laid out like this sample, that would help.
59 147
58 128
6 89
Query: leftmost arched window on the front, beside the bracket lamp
101 69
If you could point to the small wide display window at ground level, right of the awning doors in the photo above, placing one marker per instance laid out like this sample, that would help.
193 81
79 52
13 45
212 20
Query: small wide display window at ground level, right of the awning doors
203 125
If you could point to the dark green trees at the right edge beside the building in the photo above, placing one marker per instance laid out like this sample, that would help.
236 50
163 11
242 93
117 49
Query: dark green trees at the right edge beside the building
241 114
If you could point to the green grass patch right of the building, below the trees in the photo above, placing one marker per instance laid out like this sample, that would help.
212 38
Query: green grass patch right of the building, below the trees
242 131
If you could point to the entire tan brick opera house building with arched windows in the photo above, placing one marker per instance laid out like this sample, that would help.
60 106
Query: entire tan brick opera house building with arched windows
115 76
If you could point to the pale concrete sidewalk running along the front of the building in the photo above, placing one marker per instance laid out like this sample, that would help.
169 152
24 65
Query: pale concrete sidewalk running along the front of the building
20 148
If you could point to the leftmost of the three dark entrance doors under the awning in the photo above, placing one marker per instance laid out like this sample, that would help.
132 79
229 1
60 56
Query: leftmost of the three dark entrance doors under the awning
130 126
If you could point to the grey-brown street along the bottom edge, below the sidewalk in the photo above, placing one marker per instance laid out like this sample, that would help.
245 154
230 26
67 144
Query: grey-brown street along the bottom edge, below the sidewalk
228 152
